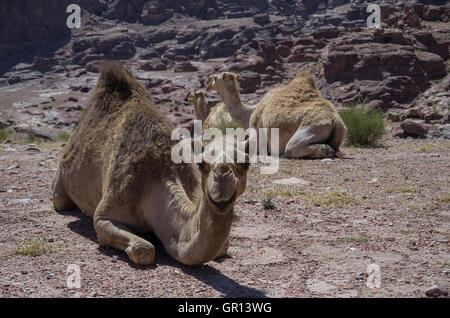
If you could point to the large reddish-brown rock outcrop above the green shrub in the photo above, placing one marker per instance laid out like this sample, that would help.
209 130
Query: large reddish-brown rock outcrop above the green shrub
386 58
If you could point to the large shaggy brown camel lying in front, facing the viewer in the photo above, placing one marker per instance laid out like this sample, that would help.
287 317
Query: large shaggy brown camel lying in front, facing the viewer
117 168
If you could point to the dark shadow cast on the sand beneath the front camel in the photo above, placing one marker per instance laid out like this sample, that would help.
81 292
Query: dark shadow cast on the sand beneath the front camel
205 273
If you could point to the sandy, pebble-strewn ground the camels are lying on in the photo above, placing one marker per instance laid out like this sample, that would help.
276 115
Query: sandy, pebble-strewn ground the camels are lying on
387 206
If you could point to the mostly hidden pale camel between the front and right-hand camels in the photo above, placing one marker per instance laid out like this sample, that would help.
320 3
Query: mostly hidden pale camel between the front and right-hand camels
218 117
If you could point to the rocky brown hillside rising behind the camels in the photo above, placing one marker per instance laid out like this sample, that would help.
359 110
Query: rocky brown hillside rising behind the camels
47 70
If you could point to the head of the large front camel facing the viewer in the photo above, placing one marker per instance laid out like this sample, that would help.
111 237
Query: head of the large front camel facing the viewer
222 182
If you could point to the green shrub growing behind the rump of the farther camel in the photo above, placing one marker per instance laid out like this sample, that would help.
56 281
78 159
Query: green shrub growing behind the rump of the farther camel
365 127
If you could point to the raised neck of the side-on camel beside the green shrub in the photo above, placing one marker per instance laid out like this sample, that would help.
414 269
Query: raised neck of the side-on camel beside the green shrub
240 112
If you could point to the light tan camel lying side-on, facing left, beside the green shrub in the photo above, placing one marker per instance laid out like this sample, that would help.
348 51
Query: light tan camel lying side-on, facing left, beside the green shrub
309 125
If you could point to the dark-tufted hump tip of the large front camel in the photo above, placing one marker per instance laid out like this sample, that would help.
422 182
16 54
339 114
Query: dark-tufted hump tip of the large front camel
114 77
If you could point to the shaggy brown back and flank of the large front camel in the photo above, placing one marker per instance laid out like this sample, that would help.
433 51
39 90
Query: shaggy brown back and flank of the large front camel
122 138
